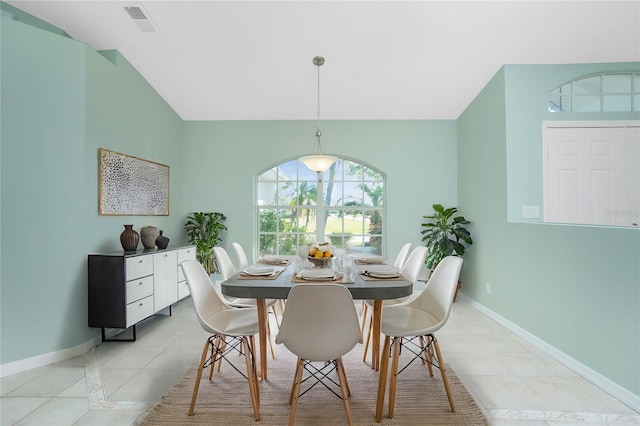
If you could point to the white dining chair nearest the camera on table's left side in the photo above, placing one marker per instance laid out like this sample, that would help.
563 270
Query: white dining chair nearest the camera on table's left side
231 329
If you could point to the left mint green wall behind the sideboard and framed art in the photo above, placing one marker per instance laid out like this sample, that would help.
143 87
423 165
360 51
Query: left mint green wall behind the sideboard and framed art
61 101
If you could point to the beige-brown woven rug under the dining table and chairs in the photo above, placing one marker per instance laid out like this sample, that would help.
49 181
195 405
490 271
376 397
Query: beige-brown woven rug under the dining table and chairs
420 400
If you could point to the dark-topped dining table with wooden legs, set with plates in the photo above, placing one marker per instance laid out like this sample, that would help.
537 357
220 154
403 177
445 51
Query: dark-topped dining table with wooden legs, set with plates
278 284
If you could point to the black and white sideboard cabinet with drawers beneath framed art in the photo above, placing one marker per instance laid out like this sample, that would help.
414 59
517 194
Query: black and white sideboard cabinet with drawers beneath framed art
128 287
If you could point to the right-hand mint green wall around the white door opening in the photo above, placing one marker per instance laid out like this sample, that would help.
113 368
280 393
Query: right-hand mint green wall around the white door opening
574 287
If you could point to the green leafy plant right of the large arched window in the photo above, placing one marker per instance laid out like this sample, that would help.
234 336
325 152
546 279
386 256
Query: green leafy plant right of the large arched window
445 234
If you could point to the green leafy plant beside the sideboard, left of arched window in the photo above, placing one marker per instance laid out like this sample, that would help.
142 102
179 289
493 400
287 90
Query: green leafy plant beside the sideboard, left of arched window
204 230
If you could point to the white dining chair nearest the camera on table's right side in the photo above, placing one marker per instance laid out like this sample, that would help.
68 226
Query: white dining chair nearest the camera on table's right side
412 325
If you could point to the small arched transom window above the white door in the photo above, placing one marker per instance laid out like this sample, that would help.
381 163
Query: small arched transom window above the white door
607 92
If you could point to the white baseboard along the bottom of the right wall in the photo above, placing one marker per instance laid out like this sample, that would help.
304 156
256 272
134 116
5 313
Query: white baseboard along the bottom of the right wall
623 395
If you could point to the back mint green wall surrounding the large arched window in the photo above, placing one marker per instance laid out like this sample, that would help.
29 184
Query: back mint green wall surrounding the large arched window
418 157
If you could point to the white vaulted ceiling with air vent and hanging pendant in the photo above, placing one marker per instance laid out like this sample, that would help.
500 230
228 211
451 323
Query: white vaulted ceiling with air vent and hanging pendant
252 60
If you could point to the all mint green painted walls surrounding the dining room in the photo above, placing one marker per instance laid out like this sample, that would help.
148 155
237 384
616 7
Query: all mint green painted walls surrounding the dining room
574 287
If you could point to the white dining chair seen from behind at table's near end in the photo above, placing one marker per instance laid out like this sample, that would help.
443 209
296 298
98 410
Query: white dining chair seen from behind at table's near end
316 334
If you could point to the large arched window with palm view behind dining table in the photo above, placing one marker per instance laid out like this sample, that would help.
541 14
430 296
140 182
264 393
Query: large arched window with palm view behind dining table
343 206
